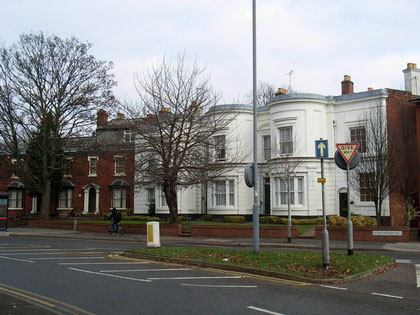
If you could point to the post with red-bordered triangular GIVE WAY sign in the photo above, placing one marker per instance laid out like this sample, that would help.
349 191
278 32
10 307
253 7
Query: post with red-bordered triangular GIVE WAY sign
347 151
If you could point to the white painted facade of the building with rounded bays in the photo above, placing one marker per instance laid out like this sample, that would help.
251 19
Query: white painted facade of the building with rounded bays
310 117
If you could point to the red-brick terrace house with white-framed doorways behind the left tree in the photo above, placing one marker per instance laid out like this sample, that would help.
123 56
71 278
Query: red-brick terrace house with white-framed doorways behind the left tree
99 175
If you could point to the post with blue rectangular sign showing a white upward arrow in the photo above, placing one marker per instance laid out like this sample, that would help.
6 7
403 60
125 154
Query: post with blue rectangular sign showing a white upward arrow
321 149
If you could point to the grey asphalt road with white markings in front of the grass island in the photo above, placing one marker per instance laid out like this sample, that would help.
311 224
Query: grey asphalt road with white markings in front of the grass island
87 277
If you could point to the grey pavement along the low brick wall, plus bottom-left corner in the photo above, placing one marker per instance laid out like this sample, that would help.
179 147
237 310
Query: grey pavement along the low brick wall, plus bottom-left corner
12 305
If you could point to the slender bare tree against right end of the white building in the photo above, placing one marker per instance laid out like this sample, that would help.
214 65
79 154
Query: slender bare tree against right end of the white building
371 177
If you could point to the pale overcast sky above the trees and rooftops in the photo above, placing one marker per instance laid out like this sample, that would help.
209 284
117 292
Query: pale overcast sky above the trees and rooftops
320 40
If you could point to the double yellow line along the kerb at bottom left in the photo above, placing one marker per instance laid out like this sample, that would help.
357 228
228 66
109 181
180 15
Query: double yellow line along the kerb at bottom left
44 301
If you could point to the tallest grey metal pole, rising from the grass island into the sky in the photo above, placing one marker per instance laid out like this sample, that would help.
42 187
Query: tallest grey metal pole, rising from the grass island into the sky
255 212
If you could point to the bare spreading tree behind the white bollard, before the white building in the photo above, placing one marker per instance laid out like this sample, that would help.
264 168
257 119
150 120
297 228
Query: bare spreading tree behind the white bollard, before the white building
180 132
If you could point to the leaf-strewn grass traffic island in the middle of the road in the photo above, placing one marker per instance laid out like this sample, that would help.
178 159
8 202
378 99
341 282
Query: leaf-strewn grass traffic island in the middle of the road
304 264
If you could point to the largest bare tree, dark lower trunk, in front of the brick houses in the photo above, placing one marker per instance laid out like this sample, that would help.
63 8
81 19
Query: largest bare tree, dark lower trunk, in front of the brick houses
50 90
